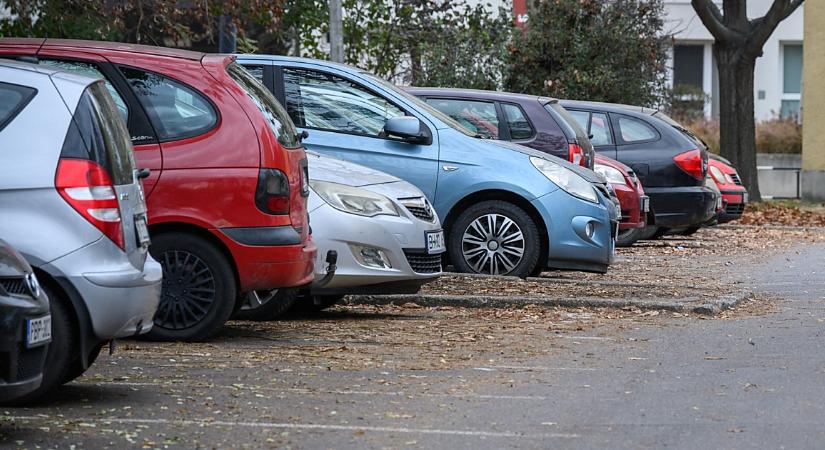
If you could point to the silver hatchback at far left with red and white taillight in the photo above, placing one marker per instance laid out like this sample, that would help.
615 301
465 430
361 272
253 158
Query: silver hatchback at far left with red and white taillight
72 204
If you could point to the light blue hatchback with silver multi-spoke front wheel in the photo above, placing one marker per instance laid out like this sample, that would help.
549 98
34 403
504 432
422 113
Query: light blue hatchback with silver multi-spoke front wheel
506 209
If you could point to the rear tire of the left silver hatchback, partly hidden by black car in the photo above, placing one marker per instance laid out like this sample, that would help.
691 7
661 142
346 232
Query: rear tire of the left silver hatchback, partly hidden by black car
62 354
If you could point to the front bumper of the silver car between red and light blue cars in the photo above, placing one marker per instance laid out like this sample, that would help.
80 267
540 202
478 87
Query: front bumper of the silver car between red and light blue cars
400 239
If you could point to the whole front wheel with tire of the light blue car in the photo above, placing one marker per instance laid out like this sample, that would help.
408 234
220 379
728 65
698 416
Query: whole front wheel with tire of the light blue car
470 252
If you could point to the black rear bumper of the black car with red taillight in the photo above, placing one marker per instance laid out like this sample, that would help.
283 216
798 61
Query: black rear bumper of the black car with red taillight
682 206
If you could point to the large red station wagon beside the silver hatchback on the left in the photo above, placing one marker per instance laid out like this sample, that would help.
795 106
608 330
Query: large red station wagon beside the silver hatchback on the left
226 184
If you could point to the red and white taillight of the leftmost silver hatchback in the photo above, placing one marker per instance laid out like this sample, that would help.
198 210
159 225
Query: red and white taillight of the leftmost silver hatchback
86 186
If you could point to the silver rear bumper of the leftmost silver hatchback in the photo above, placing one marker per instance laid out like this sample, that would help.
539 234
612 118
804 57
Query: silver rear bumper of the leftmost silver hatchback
121 300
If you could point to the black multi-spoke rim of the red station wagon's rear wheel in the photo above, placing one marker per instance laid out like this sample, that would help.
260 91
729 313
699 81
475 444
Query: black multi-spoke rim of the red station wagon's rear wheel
188 290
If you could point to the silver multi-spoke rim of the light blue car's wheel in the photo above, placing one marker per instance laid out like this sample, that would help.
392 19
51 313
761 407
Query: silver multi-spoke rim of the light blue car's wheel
493 244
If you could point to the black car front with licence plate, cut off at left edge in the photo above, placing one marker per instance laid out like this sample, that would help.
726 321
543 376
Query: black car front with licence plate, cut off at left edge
26 328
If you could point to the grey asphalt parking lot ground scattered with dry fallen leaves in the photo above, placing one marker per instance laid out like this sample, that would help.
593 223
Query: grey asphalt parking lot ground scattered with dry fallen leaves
407 376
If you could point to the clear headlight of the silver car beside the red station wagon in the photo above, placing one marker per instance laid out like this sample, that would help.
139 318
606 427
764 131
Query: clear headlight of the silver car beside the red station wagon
354 200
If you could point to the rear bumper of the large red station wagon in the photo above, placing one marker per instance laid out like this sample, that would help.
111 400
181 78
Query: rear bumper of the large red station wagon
270 257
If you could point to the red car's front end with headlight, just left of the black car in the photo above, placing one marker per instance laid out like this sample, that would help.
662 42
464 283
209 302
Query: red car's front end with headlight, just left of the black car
635 204
